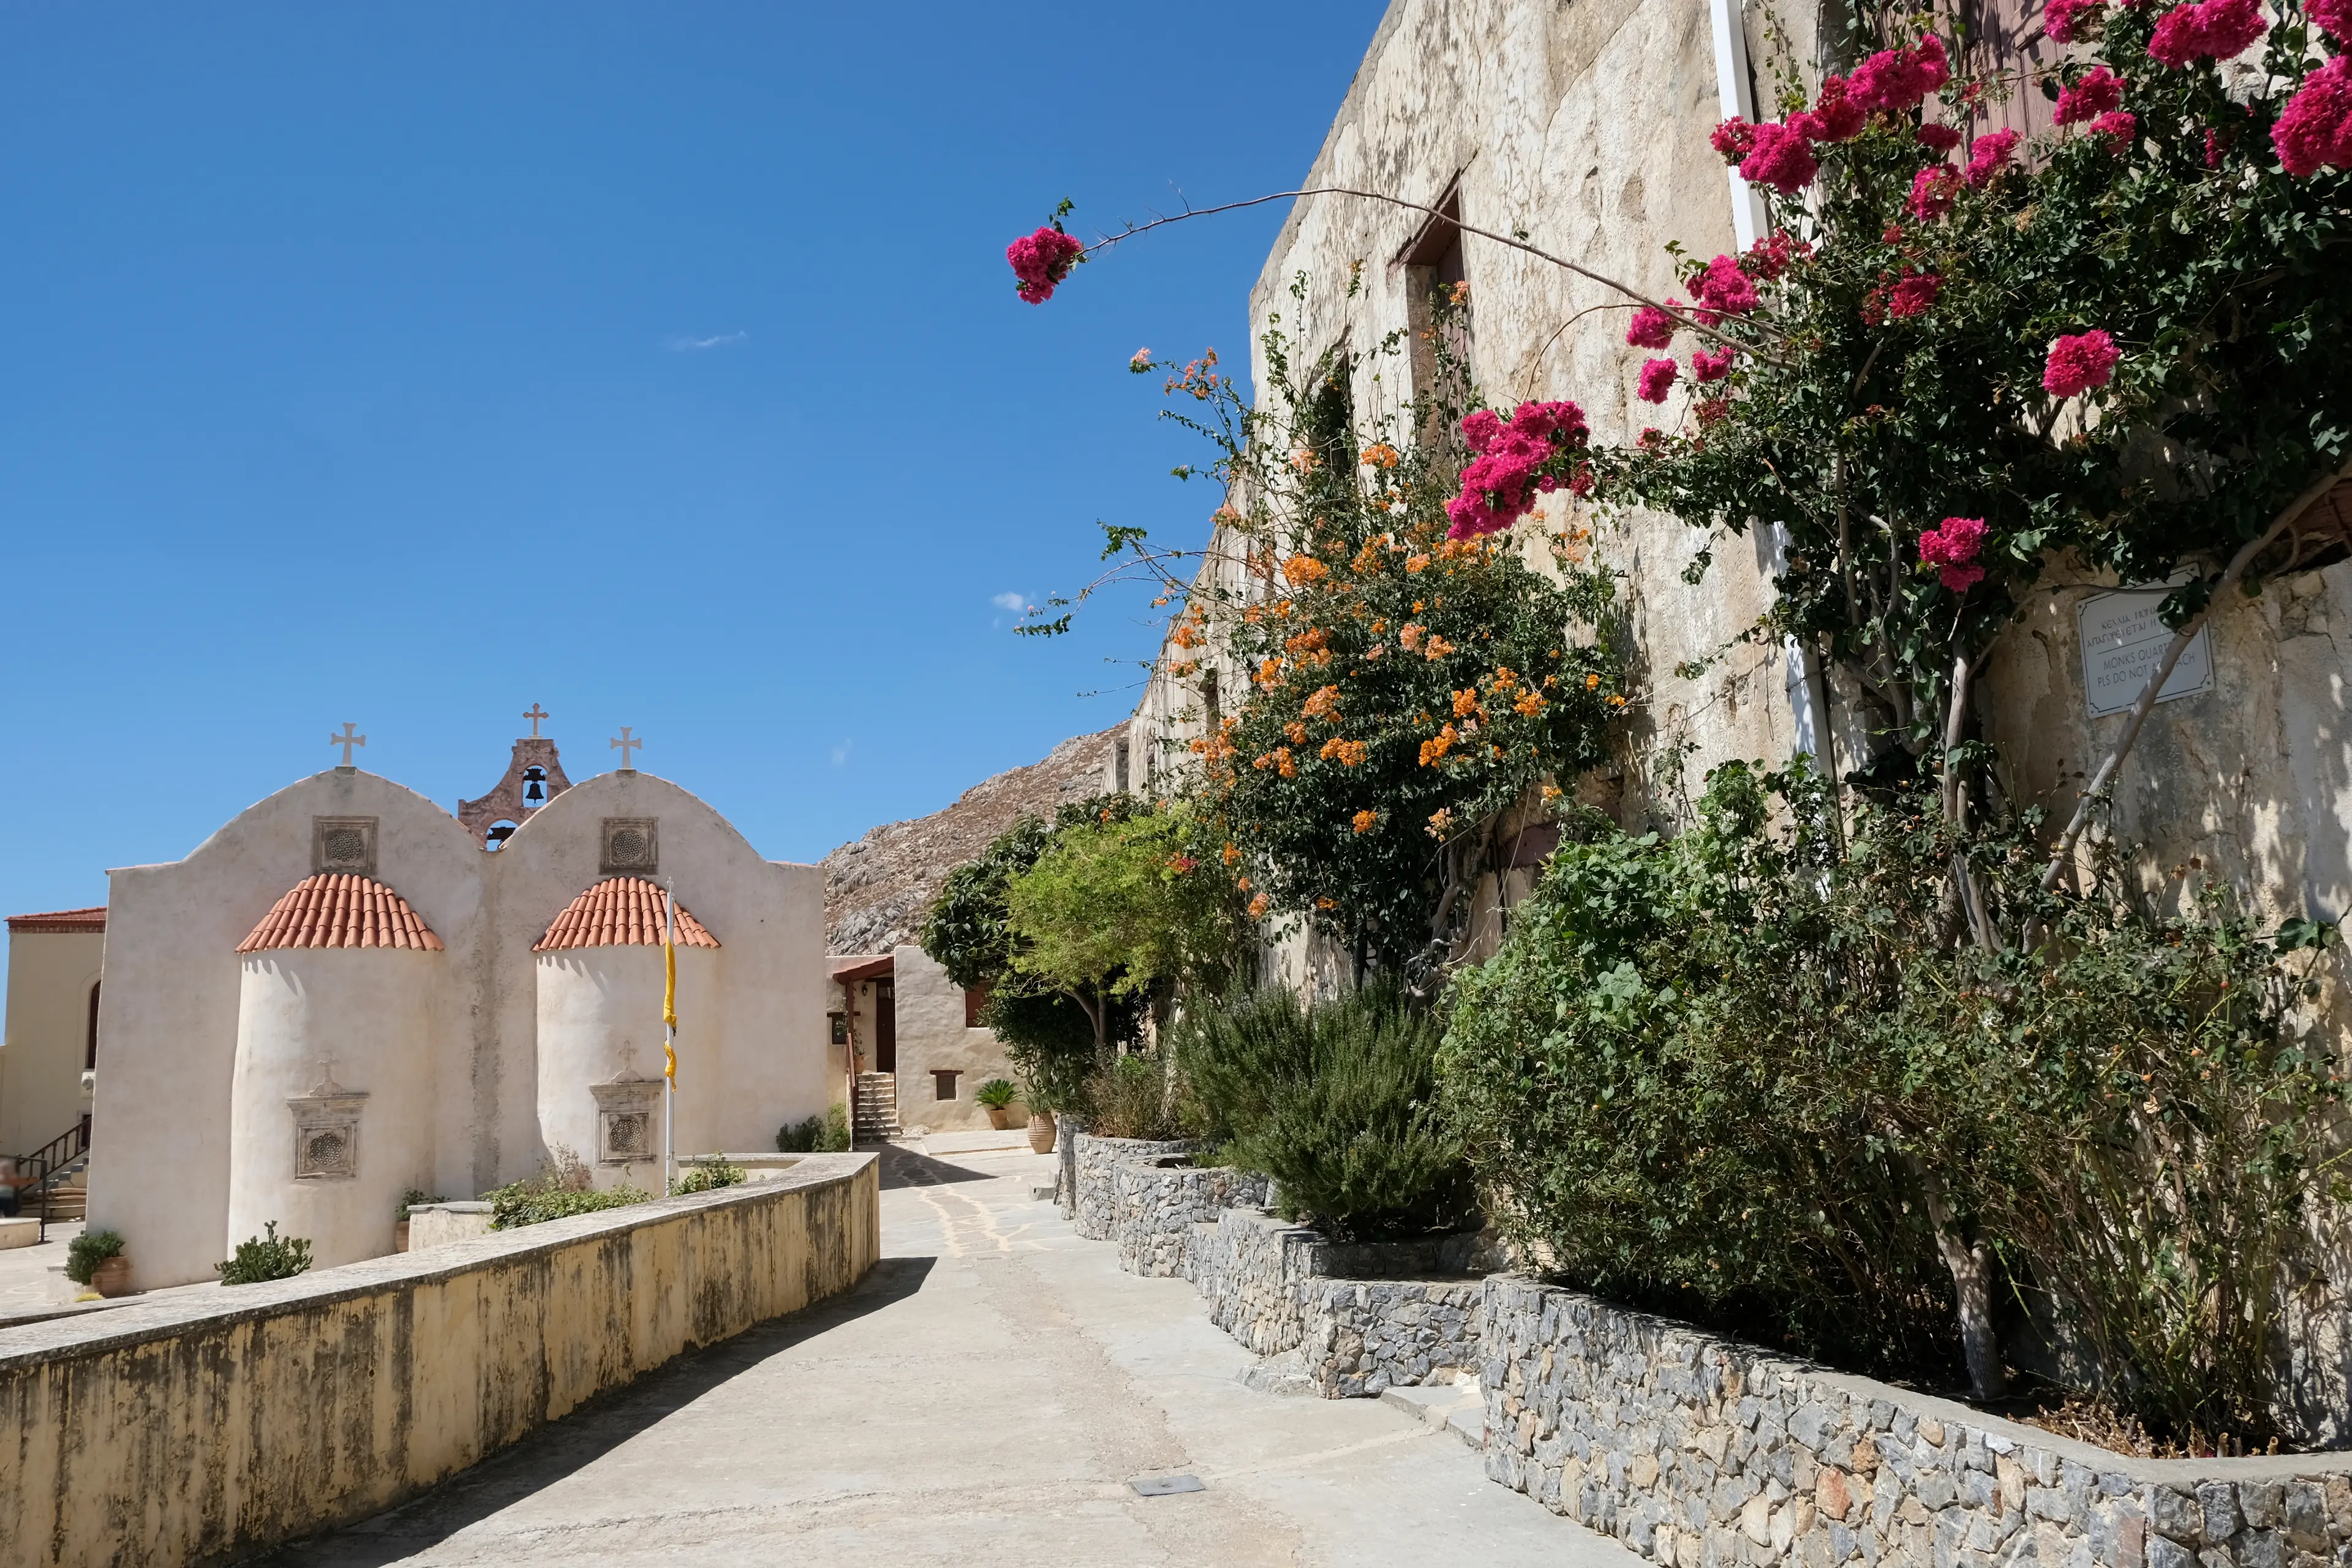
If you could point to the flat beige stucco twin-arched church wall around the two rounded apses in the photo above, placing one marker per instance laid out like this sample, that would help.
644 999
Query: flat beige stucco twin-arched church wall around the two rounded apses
751 1050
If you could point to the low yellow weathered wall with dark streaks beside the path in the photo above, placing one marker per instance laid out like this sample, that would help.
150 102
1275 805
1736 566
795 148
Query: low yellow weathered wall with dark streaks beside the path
220 1423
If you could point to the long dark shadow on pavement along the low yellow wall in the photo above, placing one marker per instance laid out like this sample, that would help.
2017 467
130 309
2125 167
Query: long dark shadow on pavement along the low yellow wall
589 1433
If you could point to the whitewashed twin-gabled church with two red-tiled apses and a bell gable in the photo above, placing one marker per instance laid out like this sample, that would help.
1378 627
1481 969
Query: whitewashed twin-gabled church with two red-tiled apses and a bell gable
349 993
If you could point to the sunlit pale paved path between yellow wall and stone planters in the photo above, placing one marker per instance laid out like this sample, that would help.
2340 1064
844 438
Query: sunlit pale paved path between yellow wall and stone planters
984 1398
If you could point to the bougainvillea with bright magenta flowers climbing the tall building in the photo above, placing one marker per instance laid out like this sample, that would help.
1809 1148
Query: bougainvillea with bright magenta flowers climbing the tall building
1960 363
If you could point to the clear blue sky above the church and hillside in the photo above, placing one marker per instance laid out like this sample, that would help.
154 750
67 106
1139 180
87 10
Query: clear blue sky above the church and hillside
413 366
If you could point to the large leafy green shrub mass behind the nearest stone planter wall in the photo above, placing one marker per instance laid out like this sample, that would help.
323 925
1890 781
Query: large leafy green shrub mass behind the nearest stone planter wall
1749 1078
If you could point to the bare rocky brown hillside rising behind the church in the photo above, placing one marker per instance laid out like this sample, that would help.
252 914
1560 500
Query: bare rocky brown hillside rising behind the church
881 885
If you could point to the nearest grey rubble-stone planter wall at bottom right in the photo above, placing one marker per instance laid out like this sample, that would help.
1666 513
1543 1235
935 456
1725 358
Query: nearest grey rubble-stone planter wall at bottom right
1697 1449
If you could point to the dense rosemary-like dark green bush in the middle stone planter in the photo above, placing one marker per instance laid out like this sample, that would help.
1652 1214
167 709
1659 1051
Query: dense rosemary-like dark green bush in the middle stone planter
1335 1104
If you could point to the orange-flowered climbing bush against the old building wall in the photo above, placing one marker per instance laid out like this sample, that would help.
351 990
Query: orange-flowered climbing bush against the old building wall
1389 692
